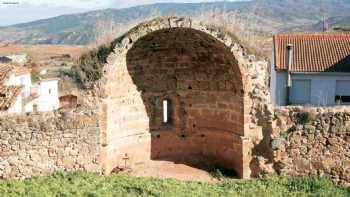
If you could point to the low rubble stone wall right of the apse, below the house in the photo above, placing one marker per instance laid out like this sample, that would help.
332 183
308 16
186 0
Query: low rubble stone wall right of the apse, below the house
312 141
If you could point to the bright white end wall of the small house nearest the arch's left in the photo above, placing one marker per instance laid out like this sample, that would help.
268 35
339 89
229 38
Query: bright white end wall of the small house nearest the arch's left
48 96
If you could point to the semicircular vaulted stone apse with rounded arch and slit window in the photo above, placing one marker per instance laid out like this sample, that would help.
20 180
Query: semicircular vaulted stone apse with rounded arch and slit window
202 73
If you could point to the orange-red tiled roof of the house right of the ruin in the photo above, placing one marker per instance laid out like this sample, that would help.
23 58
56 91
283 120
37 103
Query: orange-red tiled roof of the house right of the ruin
314 52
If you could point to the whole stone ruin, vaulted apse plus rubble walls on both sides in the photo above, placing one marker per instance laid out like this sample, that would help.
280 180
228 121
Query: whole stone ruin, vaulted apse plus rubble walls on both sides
176 90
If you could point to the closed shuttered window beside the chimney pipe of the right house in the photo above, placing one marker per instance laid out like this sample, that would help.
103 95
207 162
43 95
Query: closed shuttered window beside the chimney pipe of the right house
300 92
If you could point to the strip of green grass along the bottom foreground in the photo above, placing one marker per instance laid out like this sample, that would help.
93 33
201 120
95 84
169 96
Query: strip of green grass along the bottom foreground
89 184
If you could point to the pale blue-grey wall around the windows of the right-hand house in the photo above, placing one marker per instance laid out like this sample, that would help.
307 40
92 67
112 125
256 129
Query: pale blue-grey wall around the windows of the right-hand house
323 87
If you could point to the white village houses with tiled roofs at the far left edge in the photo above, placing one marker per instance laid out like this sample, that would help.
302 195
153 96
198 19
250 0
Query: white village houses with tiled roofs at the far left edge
18 94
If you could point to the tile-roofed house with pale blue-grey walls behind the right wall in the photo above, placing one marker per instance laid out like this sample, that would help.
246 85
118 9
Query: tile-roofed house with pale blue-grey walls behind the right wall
311 69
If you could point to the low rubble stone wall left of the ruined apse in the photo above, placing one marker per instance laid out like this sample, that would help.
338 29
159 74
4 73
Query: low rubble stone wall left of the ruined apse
39 144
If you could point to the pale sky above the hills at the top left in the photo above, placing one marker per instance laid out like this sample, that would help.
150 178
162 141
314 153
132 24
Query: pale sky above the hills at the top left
19 11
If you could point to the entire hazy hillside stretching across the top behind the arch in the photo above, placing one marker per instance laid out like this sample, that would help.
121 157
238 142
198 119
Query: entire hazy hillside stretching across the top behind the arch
262 16
